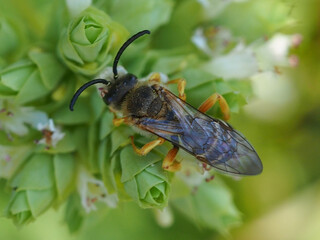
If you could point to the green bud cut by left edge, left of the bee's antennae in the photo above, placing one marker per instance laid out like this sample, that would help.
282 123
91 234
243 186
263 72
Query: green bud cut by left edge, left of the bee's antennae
31 78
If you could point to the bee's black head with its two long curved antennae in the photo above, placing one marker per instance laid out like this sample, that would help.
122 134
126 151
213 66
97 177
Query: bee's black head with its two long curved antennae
115 90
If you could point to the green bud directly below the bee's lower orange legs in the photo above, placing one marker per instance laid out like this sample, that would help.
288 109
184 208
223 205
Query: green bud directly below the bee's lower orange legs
144 179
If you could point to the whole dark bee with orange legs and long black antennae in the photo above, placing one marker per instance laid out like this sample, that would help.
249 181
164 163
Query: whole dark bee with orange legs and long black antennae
151 107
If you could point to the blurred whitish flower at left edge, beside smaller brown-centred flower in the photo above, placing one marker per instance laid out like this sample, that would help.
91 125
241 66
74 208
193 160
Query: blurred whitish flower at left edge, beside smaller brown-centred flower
13 118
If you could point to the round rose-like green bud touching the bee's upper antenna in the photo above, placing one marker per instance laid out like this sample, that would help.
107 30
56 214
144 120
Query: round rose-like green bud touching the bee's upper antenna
85 45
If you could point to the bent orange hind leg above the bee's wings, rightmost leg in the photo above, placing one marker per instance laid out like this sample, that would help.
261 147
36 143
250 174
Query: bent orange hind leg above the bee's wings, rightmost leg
207 104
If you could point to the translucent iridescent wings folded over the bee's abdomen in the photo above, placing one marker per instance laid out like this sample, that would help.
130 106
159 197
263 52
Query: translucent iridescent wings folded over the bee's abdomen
209 140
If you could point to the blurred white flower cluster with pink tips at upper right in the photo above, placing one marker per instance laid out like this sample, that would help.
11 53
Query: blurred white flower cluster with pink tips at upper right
243 61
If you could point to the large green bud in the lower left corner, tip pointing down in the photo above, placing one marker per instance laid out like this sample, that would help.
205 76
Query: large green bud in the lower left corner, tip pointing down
42 181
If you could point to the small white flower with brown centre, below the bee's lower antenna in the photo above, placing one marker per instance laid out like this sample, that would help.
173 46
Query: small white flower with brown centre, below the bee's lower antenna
51 134
